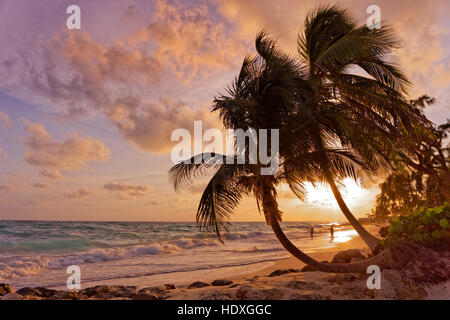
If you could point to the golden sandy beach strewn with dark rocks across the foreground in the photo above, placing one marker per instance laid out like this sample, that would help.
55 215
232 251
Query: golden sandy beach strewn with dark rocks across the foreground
284 279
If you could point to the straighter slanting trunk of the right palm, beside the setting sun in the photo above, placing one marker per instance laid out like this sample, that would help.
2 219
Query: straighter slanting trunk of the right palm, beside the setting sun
373 242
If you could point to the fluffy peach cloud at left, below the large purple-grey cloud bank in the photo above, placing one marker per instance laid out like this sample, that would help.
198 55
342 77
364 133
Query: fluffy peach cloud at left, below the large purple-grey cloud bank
53 156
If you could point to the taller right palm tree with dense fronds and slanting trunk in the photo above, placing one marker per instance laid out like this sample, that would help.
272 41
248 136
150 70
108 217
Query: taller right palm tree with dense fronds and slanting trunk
351 97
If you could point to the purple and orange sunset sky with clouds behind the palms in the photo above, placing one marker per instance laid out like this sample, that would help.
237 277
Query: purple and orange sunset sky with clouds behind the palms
86 115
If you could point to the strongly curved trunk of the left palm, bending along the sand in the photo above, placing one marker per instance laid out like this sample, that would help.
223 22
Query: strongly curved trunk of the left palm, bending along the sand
270 208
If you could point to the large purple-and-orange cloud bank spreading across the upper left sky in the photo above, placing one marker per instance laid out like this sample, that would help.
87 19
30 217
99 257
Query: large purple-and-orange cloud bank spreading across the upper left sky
127 80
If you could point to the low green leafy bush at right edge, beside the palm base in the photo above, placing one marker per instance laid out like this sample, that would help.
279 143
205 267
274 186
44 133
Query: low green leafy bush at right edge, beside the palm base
426 226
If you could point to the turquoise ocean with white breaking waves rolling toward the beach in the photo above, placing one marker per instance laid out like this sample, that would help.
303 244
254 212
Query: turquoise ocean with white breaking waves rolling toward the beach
37 253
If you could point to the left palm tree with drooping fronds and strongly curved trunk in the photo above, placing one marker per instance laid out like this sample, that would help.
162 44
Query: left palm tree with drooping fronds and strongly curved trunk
262 98
